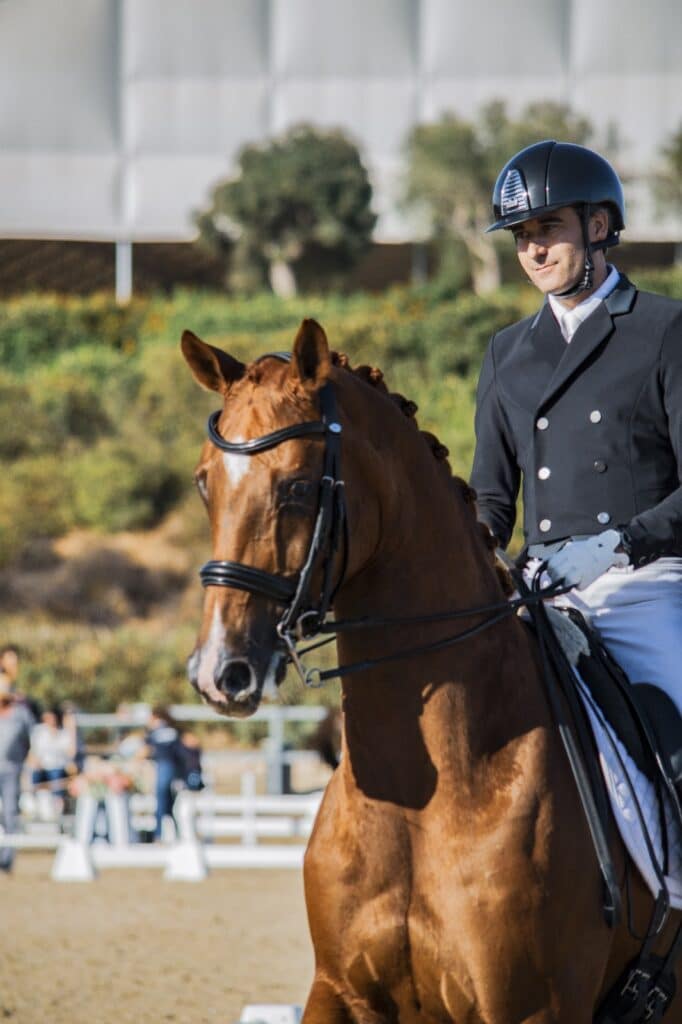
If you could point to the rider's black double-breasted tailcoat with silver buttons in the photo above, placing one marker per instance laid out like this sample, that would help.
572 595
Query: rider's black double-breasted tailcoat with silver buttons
593 429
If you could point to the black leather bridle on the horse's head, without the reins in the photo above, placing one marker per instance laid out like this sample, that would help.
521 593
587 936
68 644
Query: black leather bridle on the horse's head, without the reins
304 615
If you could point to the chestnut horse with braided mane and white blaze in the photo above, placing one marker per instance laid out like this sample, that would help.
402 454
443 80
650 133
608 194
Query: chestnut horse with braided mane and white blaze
451 876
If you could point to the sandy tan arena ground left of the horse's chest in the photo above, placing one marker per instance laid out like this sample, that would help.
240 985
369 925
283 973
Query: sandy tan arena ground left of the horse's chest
132 948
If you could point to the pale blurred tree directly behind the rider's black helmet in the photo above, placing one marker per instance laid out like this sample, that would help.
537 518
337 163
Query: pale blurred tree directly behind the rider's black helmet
453 166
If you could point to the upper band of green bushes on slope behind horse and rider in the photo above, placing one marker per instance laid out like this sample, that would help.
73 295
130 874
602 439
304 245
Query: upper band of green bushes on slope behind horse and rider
103 423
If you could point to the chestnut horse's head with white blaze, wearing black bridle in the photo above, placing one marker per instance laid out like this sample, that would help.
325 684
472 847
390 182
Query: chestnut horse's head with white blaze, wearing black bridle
265 504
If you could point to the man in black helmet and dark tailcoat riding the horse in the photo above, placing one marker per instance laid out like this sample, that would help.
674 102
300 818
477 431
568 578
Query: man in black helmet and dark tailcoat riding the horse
583 401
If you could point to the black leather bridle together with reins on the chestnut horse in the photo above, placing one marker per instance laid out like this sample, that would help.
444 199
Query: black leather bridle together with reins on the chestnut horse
306 617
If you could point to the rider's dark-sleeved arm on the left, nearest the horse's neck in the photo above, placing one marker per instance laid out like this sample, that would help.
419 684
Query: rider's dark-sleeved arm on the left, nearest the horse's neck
496 476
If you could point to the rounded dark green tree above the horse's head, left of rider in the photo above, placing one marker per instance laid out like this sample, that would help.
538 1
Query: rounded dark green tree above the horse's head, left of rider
302 201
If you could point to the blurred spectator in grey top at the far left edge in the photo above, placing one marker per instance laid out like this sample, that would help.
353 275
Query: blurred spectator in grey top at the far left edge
16 726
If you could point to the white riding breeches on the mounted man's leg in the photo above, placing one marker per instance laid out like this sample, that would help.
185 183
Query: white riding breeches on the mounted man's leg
638 617
